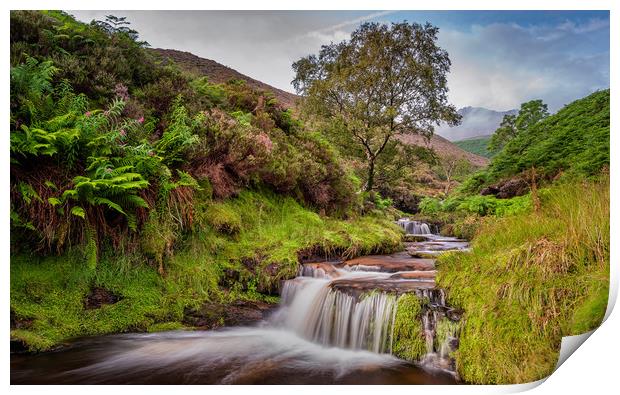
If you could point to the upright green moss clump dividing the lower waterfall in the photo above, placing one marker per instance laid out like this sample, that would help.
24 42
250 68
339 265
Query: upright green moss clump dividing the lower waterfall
408 340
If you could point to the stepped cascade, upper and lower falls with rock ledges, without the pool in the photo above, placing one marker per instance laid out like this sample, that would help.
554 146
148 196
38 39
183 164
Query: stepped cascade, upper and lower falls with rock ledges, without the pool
354 304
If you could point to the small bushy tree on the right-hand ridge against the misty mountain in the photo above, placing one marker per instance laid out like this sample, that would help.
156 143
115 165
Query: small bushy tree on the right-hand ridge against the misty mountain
529 114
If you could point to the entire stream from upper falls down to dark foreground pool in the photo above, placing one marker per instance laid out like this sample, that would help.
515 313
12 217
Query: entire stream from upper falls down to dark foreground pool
334 325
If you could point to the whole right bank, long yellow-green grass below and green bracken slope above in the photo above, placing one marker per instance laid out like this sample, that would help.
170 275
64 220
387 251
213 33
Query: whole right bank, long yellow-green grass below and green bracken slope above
538 219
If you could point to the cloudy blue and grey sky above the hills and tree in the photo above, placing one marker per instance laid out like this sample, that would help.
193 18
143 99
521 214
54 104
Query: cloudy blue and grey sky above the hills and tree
500 59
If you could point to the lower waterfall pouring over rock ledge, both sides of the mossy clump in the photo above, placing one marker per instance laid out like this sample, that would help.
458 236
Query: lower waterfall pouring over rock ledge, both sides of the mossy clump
317 307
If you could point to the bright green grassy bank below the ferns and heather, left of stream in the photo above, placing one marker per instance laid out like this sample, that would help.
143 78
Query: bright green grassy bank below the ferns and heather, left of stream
239 251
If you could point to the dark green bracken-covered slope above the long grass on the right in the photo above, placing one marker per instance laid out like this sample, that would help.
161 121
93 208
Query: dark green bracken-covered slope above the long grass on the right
573 142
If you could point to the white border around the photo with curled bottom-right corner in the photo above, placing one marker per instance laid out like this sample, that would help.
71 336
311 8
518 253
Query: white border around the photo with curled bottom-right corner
593 367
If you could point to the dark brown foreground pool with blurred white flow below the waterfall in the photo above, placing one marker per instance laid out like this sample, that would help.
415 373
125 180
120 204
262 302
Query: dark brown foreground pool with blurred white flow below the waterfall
241 355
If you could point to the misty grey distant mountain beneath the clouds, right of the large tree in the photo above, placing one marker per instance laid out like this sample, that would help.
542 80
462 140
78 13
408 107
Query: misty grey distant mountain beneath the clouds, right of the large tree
475 122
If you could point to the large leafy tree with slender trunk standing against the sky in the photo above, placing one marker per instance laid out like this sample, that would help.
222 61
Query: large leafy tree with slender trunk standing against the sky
384 81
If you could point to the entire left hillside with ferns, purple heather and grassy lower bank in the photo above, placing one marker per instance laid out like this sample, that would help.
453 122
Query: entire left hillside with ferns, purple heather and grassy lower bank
156 193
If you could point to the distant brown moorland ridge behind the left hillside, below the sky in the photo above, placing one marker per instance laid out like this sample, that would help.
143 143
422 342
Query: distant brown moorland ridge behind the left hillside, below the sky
218 73
